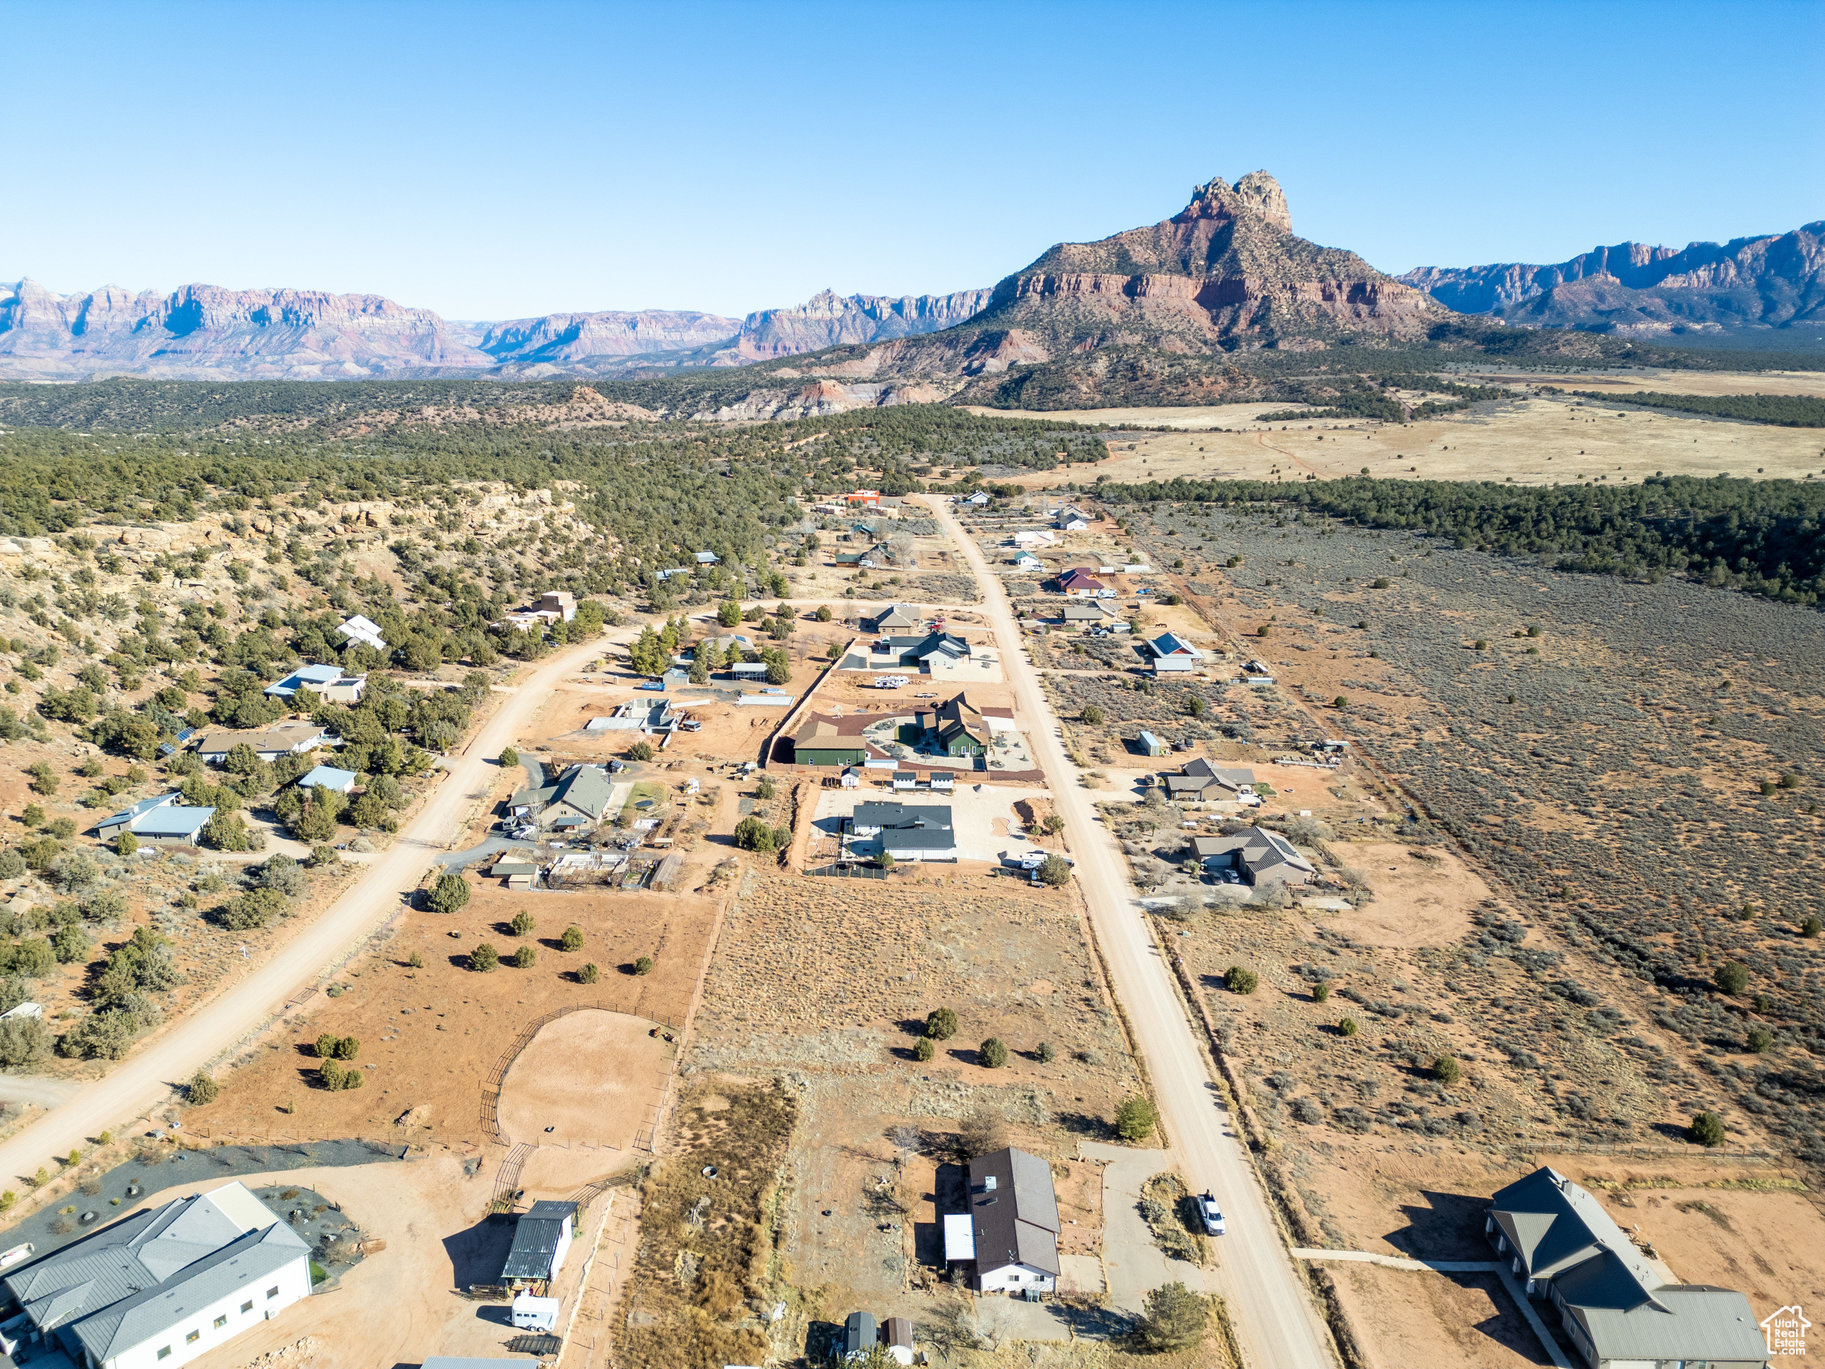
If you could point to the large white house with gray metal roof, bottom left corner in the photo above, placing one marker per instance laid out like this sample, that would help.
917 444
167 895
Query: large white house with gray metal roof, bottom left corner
163 1286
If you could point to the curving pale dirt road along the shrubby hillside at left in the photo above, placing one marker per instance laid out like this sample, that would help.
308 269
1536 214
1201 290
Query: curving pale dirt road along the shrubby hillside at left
145 1080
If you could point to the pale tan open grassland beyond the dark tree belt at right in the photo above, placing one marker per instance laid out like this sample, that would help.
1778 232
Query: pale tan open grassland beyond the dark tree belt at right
1532 441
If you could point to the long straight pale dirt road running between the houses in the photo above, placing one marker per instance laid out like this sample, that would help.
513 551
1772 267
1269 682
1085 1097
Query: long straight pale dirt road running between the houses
1275 1317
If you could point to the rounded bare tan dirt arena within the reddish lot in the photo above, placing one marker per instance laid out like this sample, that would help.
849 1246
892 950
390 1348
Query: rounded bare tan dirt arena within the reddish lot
590 1078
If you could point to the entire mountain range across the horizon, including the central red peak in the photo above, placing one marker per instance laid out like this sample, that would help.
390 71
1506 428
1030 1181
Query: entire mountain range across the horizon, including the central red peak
1225 275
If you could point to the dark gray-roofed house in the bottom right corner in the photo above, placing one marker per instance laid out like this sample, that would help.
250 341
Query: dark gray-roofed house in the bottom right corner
1618 1306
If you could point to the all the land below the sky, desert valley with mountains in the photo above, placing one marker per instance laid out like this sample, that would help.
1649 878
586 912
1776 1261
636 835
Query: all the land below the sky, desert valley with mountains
1196 806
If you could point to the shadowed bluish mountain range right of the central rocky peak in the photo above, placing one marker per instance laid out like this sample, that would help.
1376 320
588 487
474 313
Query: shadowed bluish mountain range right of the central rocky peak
1651 291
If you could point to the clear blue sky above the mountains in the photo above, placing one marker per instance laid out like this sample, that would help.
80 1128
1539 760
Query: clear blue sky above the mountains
495 162
